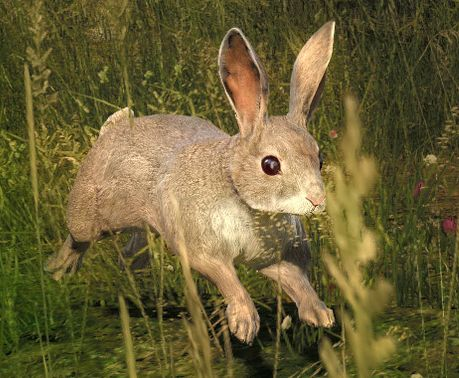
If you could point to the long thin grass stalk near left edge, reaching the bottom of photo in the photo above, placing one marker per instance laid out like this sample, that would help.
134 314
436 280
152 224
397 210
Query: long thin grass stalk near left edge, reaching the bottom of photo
34 180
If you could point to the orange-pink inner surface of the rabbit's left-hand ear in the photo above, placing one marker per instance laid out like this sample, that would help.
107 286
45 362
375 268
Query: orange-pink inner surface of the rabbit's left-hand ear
242 80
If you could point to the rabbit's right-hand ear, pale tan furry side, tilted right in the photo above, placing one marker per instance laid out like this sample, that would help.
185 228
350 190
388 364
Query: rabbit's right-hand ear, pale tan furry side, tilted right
308 76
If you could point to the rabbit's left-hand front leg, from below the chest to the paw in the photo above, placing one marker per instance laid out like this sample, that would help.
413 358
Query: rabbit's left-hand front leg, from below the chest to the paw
243 319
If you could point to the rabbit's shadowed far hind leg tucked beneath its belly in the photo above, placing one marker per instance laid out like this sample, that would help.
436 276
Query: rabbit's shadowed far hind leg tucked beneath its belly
136 251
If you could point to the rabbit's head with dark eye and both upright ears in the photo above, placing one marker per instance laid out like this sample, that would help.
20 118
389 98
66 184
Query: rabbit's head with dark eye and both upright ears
275 163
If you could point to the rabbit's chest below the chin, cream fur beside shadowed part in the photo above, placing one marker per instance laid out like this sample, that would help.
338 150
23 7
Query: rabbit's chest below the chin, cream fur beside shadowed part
254 238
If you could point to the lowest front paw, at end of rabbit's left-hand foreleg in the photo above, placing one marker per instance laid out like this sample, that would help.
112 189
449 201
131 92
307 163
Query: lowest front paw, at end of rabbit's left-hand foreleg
243 320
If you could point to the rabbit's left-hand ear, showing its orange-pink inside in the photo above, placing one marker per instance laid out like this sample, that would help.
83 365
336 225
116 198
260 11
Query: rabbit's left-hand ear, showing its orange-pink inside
244 80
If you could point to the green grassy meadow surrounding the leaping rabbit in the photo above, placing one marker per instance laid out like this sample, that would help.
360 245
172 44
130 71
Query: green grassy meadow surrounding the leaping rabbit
65 66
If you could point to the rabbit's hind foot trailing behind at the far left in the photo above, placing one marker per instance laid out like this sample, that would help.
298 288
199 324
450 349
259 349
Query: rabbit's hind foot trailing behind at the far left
68 259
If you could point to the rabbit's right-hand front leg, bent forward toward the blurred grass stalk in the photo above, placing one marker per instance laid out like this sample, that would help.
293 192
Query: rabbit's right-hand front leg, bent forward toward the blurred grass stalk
295 283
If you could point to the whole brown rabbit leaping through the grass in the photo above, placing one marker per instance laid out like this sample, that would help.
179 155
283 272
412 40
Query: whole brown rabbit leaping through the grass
228 199
